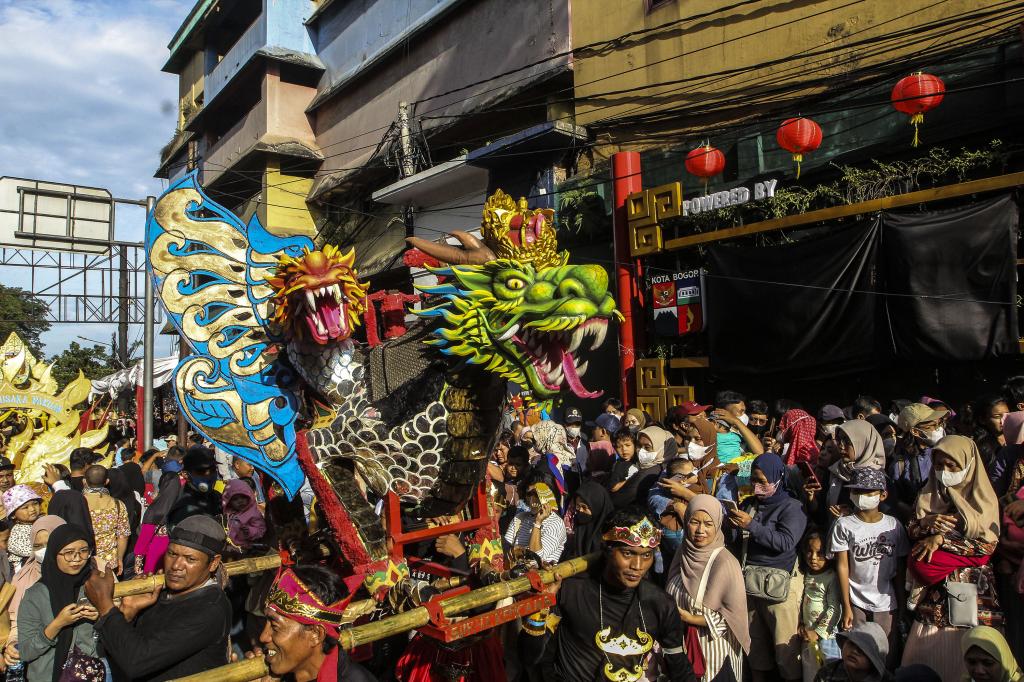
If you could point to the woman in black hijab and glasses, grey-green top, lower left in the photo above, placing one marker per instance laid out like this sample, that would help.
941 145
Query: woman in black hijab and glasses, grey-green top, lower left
52 623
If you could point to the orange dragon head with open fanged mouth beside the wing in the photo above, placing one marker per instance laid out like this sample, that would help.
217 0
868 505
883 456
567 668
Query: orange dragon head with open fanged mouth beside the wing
319 296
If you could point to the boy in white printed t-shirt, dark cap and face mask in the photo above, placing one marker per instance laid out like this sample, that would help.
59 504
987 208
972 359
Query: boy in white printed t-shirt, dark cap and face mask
871 550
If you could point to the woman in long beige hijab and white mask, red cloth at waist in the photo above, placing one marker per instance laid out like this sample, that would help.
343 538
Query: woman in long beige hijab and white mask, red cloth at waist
956 528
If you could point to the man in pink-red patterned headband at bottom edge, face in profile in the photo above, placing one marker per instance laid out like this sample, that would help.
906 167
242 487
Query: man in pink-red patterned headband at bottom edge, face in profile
305 611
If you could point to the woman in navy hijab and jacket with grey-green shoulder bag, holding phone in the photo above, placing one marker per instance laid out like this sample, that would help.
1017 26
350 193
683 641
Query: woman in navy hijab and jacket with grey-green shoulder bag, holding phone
775 525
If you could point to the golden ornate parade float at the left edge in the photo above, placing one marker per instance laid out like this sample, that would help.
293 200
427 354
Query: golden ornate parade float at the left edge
39 424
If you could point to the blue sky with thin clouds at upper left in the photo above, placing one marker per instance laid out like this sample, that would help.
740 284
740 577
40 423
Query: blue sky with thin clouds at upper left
84 102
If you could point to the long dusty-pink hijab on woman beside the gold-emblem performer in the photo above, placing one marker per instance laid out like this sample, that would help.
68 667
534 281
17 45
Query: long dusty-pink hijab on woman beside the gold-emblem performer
726 593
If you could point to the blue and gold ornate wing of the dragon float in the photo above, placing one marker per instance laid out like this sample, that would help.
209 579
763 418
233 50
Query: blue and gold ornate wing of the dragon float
209 270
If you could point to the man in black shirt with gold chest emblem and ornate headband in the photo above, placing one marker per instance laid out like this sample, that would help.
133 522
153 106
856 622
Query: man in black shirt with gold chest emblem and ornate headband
608 620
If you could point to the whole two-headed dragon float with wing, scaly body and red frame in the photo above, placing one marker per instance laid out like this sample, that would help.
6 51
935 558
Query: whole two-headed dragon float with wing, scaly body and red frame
406 427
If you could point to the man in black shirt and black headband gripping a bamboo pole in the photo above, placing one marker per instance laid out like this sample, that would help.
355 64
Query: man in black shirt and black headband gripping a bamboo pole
173 632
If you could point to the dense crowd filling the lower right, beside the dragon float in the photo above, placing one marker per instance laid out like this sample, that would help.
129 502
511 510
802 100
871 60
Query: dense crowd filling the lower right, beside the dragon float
867 542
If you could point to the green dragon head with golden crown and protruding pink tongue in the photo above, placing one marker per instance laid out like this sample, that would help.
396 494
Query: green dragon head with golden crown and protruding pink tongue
524 314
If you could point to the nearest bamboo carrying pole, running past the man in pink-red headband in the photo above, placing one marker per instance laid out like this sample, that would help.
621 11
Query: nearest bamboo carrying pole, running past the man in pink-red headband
372 632
